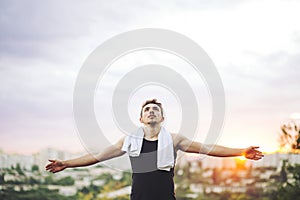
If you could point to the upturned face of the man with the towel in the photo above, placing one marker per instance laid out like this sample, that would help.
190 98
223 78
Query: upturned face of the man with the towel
151 114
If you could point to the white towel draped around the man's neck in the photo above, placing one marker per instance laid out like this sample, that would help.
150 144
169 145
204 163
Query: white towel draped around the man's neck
165 150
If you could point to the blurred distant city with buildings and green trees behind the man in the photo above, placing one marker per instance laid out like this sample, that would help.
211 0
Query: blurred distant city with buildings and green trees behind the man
195 176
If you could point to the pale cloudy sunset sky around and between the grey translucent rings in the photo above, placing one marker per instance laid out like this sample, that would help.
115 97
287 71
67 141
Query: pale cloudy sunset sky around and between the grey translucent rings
255 46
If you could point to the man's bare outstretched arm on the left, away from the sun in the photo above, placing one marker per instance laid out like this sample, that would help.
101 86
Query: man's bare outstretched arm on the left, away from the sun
86 160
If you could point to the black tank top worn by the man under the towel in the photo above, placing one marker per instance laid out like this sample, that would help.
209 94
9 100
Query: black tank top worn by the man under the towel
148 182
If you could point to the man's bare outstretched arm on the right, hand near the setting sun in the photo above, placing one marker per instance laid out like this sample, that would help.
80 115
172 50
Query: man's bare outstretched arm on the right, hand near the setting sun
189 146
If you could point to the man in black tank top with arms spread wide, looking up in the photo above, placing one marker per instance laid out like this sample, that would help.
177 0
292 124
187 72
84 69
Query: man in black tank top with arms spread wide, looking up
152 152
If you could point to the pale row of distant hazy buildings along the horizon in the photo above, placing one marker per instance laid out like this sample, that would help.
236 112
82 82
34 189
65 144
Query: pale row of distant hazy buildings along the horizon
41 158
